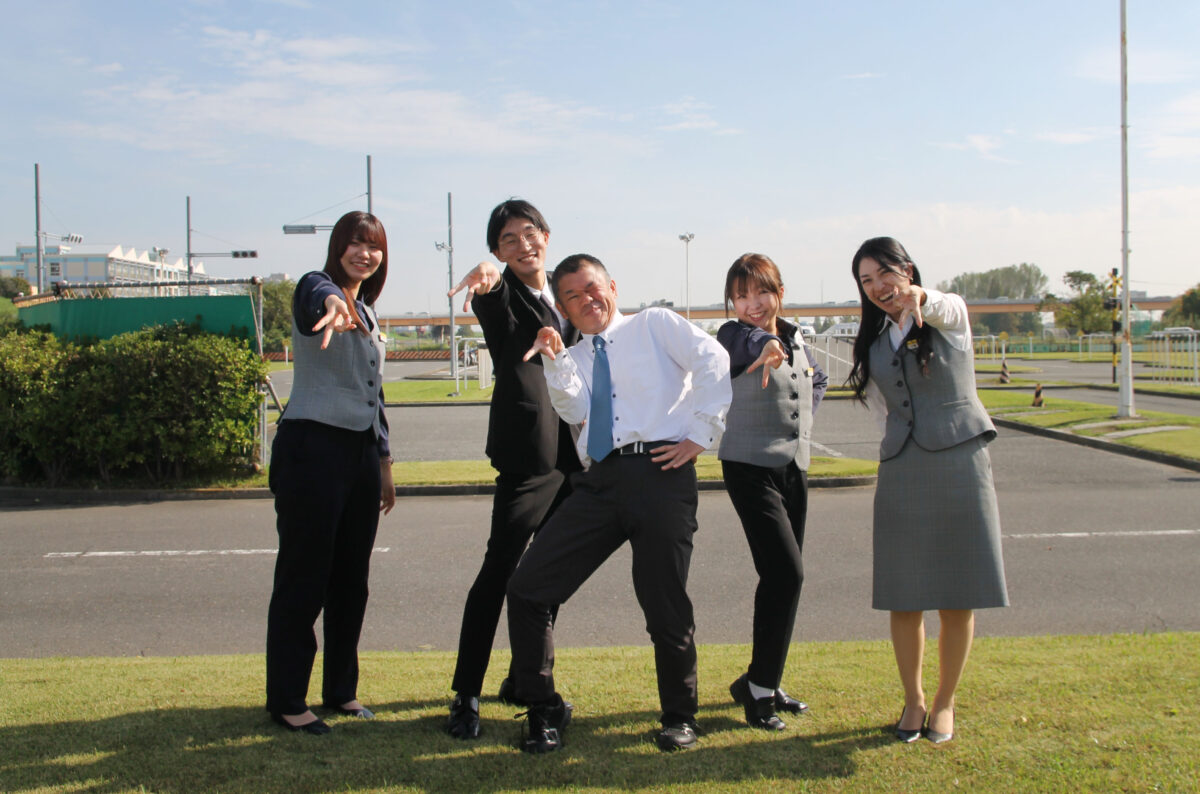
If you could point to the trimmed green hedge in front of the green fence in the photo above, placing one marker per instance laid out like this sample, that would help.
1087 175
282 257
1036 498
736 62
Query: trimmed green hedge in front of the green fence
161 404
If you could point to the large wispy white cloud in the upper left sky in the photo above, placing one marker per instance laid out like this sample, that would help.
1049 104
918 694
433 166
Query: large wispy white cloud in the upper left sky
339 93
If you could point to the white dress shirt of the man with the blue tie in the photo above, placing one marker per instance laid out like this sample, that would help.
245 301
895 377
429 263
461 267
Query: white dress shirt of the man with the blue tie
670 381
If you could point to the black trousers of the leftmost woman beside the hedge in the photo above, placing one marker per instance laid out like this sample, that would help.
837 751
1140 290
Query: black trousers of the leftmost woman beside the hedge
327 502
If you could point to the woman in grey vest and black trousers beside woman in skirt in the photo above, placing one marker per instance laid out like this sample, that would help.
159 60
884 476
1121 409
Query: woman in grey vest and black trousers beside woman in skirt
765 460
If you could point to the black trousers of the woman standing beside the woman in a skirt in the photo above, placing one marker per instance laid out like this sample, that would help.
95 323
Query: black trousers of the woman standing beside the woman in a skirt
772 506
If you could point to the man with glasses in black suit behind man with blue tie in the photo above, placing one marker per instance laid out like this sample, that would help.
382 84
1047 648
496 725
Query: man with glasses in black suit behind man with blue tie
531 448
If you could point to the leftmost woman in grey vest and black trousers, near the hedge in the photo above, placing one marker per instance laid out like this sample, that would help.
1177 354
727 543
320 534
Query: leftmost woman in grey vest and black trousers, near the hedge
332 477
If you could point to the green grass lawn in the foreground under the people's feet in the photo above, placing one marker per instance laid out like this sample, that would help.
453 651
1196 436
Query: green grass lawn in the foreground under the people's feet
1040 714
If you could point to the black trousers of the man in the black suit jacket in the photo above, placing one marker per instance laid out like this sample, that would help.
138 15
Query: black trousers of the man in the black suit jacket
521 506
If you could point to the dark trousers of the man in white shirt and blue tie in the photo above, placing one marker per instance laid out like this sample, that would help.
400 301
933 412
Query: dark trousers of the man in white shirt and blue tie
622 498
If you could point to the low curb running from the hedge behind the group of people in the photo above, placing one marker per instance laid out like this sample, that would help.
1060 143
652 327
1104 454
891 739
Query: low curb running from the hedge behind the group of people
19 497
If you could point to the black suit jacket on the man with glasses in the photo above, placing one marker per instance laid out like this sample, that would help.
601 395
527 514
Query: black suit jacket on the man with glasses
525 436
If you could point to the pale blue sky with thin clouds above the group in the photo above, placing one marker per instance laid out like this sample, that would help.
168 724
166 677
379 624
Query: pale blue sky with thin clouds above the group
980 135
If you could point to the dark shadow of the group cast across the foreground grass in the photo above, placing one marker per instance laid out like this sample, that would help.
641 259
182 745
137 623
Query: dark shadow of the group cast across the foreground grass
237 749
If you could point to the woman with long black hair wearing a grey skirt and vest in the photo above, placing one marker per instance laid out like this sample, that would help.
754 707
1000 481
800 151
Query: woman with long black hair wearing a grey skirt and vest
937 534
